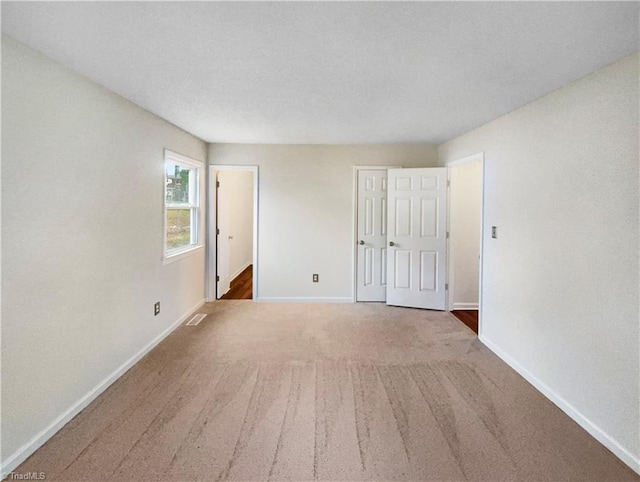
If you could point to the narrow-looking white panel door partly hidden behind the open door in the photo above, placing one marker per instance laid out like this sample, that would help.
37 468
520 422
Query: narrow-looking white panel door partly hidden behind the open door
372 236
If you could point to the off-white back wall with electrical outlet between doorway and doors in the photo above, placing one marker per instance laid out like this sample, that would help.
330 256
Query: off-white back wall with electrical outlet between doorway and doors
305 222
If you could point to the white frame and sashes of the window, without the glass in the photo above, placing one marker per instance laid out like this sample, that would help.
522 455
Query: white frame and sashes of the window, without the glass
195 205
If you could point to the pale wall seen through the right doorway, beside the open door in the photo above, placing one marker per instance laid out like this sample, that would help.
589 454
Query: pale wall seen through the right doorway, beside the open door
465 200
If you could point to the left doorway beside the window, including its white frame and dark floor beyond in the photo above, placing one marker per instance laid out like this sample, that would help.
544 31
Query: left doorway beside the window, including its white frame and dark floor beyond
233 253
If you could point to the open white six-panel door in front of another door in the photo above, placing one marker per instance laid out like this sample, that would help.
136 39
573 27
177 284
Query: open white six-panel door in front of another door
417 237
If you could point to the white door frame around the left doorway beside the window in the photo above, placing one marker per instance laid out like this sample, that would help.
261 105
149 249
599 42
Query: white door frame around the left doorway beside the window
211 231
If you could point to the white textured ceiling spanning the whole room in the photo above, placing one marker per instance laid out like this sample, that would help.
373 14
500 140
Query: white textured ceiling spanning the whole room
328 73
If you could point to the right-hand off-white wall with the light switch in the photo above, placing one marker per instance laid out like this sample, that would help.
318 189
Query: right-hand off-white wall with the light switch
560 291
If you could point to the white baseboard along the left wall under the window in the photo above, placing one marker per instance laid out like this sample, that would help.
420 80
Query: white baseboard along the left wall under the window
20 455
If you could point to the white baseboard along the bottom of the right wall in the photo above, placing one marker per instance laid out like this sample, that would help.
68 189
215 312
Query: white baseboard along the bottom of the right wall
596 432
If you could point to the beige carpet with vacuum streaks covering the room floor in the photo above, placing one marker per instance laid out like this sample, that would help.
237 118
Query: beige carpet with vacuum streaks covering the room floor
323 392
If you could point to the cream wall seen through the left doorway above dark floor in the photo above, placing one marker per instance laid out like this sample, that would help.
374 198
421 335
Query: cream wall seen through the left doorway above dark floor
235 212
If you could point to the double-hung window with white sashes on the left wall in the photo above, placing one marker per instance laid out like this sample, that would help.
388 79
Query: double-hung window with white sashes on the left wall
182 204
